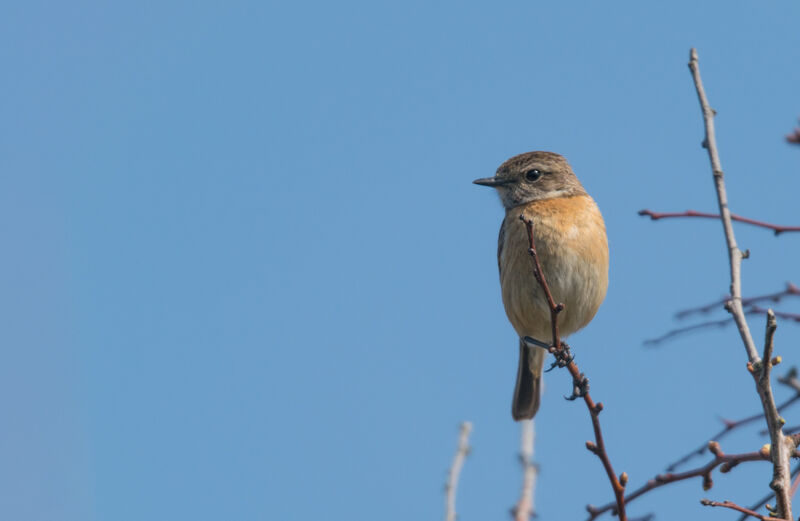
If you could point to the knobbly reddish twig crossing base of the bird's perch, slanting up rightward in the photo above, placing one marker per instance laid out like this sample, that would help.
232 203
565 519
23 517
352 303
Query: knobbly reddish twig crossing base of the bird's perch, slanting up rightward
726 462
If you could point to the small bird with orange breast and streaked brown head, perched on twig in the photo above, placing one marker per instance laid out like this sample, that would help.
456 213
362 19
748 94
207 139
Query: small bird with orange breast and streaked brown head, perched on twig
570 239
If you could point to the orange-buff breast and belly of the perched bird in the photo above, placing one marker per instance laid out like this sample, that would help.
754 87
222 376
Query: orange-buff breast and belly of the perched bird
573 250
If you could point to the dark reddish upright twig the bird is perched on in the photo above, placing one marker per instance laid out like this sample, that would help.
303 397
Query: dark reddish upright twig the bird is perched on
580 382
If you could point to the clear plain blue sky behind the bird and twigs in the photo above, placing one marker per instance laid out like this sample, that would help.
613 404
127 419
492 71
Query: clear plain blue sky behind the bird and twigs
246 274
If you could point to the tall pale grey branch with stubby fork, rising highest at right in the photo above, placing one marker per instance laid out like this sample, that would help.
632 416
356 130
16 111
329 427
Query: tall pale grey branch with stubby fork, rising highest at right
781 482
